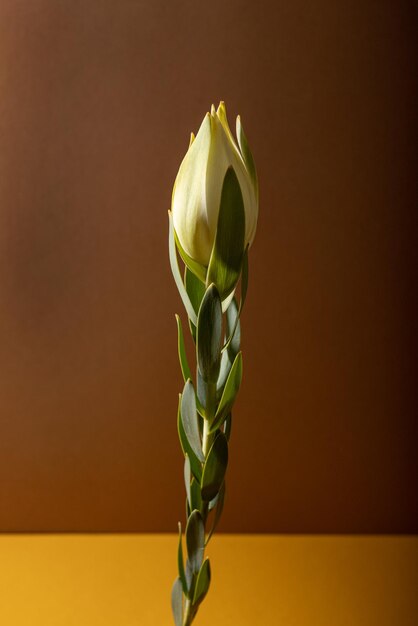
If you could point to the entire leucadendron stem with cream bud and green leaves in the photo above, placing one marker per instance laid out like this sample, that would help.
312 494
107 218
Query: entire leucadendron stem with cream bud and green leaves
212 222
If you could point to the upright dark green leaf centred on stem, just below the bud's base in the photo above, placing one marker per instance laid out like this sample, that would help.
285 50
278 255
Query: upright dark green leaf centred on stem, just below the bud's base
209 335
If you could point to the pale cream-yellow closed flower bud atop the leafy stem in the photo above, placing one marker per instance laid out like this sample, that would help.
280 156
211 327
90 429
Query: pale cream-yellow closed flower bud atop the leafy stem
198 186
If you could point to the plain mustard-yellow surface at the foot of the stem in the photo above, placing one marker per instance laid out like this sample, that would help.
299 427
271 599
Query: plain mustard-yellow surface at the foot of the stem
125 580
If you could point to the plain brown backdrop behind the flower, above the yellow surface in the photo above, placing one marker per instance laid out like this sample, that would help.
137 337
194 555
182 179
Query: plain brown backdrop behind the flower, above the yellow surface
97 102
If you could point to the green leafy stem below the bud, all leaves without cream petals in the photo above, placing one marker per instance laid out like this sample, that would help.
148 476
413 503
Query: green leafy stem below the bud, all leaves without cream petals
206 402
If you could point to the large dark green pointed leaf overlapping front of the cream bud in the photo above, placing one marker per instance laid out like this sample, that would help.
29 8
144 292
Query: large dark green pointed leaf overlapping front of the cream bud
228 249
